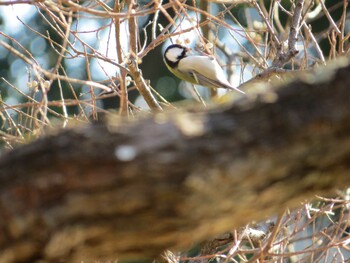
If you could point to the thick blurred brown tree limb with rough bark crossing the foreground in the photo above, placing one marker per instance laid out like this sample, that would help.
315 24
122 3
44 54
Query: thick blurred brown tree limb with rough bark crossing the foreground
130 190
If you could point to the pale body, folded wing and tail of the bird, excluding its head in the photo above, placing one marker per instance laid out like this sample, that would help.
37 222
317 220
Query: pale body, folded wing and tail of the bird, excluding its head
206 71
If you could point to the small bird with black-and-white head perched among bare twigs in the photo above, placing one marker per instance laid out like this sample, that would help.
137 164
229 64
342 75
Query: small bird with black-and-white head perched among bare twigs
201 70
